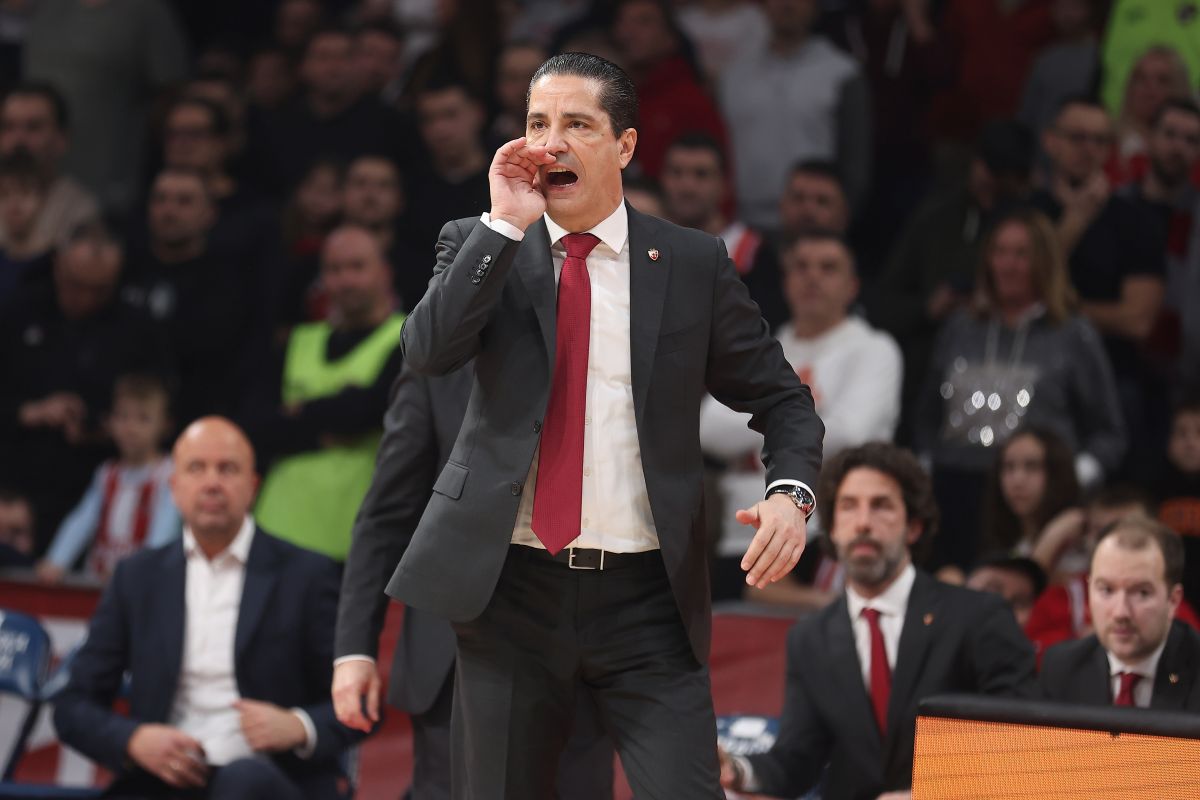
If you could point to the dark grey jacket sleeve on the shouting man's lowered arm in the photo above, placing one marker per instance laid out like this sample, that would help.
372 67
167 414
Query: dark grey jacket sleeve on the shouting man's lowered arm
748 372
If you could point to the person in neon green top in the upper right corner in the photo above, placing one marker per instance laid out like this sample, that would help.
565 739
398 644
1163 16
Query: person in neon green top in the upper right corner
1133 28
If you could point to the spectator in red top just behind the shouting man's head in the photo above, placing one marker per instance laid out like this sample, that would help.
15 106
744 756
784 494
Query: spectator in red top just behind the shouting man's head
671 100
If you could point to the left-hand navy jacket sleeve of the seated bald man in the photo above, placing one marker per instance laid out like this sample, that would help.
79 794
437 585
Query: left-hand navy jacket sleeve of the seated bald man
83 712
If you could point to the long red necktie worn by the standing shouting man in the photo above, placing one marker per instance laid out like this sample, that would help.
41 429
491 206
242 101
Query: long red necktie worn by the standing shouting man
559 497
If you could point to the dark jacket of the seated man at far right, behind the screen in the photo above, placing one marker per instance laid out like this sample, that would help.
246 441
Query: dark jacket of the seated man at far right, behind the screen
1078 672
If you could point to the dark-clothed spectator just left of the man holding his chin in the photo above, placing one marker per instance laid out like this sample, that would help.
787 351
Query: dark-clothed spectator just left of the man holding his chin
932 269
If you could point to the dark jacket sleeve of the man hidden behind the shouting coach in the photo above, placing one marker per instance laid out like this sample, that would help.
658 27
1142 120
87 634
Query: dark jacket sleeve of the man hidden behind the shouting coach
401 485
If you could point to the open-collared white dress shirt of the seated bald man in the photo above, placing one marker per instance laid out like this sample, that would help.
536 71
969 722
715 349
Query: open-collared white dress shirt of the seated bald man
208 685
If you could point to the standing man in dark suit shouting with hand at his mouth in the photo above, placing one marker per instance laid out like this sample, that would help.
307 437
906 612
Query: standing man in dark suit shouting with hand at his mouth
565 537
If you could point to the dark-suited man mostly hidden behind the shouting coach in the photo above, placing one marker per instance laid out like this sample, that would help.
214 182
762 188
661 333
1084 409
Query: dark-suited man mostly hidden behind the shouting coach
419 431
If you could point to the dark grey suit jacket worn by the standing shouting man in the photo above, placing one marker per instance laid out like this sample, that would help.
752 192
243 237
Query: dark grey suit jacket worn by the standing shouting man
693 329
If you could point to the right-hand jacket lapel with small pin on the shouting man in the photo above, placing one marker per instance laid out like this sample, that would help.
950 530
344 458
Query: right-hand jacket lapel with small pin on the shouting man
647 294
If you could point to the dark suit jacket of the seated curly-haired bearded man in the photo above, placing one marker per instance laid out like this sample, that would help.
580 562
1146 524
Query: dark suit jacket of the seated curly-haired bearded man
953 641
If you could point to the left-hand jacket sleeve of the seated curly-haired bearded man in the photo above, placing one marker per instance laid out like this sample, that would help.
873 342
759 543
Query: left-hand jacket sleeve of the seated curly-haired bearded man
794 765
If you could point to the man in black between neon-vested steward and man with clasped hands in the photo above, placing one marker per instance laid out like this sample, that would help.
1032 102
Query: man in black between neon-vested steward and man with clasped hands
205 299
